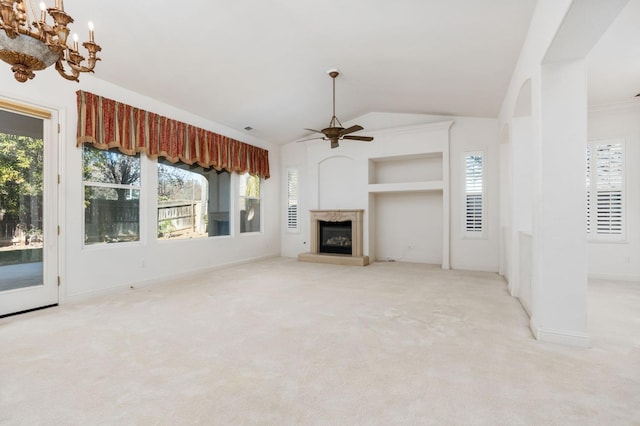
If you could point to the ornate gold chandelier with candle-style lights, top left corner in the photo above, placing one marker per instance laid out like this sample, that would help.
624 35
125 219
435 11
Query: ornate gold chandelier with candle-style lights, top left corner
31 45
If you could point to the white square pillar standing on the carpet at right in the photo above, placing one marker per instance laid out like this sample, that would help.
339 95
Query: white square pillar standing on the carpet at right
559 285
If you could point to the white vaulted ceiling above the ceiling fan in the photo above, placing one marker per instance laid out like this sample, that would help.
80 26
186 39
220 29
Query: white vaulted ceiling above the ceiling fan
263 63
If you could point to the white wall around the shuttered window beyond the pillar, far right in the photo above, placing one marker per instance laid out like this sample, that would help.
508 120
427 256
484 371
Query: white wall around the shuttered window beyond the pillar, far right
620 260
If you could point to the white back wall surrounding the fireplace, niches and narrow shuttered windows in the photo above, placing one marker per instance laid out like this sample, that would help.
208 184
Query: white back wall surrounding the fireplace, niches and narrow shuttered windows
323 183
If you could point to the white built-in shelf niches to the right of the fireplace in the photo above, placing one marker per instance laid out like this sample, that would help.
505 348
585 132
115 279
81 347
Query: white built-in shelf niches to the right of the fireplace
416 176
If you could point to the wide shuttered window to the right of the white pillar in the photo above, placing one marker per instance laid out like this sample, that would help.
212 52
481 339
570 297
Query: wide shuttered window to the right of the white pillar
605 187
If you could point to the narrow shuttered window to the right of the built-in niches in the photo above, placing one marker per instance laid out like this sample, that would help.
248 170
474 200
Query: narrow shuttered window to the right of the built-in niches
474 194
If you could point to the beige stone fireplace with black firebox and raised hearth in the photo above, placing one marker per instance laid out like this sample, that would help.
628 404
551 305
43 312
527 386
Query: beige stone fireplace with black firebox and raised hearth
336 237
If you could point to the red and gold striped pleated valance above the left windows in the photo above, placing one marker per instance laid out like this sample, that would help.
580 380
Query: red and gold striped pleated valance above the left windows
106 123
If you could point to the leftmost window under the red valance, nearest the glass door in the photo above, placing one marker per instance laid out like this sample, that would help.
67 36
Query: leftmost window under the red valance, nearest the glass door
111 183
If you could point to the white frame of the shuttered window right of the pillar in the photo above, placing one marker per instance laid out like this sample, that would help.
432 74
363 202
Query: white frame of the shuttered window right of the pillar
592 190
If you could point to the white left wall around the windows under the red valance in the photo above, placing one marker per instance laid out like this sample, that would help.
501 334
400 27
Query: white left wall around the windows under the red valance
87 270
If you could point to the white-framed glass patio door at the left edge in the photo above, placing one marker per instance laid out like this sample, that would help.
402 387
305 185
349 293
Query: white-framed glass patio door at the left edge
28 208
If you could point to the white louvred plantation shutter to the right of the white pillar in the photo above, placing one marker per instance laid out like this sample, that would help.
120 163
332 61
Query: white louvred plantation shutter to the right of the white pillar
609 187
